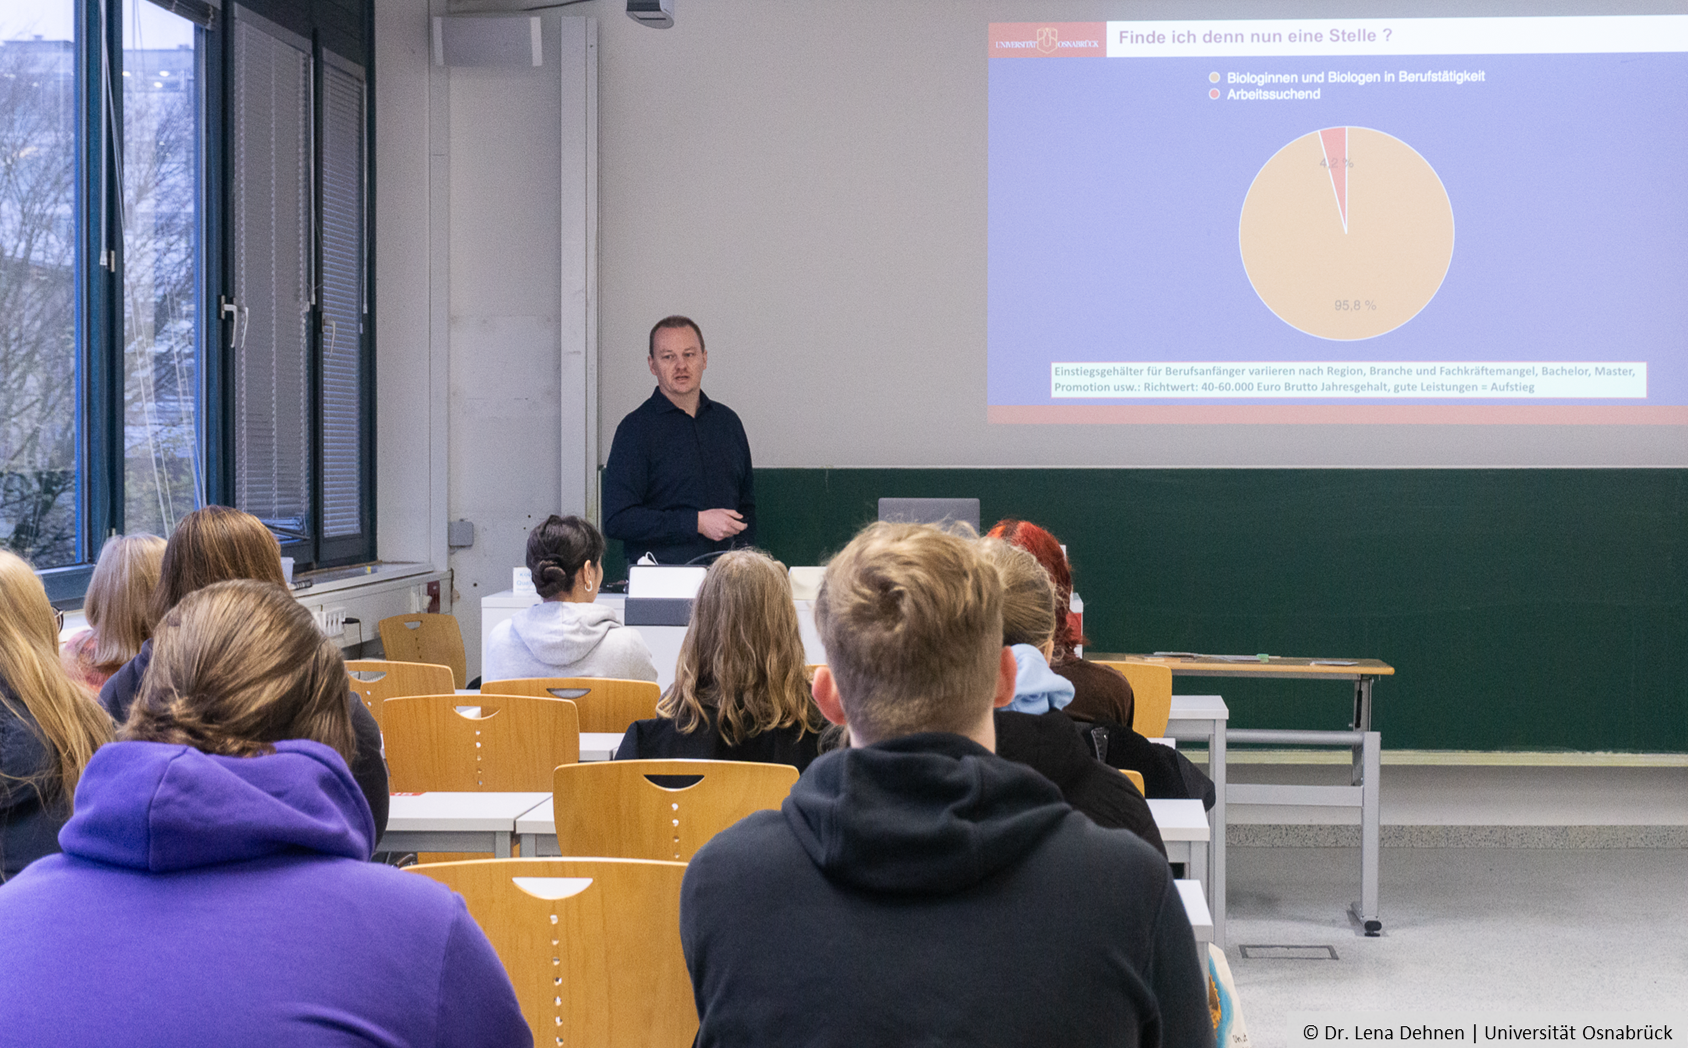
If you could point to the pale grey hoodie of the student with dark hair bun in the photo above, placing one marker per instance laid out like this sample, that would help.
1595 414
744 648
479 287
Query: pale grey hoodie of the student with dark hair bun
561 639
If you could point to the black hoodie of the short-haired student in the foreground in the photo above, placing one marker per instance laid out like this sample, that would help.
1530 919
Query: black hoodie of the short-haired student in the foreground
926 892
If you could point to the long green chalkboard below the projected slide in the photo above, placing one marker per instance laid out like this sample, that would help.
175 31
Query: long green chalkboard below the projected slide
1522 608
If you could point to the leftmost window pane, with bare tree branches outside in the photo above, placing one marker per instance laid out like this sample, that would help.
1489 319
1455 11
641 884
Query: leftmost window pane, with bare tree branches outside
38 283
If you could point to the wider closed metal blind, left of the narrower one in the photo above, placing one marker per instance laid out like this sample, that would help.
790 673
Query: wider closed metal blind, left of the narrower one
271 215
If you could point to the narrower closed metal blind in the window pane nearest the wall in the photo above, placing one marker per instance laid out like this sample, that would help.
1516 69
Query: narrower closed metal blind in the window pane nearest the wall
342 300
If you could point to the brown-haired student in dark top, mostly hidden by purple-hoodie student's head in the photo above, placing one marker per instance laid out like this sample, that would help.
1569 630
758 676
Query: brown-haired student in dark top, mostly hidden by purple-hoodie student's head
214 546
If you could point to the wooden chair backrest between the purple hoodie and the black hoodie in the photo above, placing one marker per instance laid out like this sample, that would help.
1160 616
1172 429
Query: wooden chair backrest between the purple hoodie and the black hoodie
592 946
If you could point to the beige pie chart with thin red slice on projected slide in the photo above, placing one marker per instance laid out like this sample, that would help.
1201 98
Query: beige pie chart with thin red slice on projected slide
1346 234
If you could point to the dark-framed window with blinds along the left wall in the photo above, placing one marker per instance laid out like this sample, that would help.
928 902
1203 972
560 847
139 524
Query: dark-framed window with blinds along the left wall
183 311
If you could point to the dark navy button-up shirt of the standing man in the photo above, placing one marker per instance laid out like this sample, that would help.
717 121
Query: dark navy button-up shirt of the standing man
666 468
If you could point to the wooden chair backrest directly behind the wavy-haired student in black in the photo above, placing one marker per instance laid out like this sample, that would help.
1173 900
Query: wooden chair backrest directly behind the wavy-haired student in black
614 809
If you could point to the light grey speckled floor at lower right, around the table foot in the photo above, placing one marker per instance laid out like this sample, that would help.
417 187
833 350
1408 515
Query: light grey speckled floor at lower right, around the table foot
1512 931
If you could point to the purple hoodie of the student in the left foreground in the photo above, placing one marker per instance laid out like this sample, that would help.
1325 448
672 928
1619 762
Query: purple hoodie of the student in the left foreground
207 900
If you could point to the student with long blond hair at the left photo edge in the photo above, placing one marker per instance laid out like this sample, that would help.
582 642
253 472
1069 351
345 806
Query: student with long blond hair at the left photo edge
50 728
